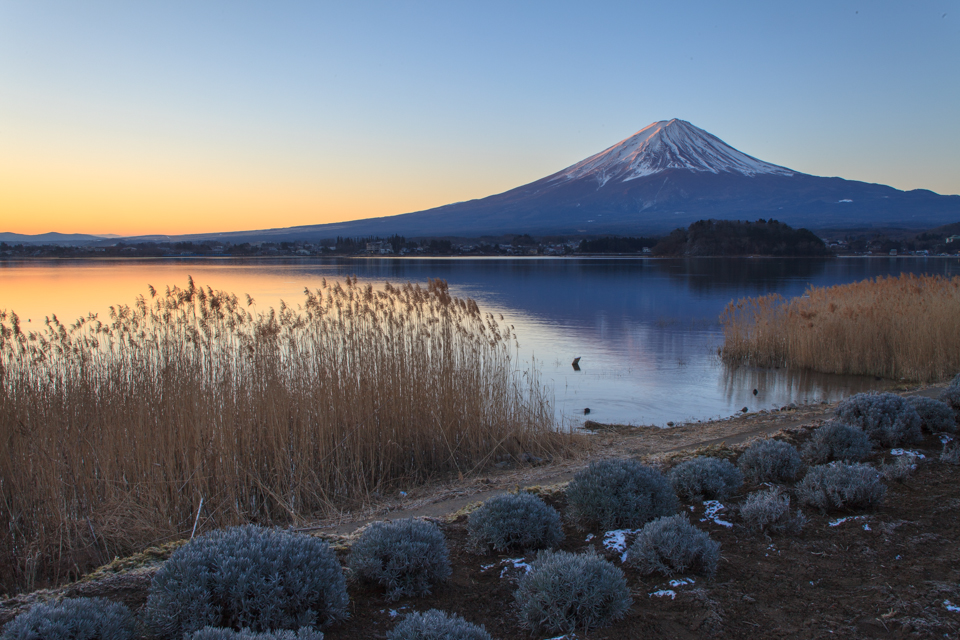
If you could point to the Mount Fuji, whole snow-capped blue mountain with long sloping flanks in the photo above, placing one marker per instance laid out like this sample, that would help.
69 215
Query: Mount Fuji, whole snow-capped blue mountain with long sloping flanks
665 176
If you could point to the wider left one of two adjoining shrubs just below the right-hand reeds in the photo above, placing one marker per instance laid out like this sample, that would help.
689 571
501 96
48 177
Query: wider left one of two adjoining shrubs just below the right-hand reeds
885 417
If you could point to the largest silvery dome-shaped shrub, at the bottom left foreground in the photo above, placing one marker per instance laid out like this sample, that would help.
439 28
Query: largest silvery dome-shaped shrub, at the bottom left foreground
247 577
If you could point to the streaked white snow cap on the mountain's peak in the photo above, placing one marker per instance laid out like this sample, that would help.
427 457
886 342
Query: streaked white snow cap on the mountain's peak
668 144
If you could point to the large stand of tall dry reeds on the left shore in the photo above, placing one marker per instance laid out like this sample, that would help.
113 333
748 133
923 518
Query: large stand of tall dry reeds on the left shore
186 409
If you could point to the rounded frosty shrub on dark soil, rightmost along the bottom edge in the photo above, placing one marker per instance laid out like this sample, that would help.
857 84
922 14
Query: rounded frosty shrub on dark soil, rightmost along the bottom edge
564 592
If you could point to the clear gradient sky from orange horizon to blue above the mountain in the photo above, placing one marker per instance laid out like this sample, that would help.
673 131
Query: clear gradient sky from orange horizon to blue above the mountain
185 117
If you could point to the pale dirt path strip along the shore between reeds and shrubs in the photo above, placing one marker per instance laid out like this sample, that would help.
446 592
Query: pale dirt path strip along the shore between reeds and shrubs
127 579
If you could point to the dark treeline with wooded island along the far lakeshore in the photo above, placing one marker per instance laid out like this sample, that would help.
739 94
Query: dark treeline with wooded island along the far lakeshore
703 238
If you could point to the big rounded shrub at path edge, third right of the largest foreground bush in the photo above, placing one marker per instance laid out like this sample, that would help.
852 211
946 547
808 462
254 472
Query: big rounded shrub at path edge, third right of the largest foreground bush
619 493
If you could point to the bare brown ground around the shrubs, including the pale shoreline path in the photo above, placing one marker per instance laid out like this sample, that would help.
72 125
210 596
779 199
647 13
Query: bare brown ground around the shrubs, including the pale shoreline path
890 573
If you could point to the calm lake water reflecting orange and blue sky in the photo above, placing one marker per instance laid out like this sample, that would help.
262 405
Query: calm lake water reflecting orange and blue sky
646 330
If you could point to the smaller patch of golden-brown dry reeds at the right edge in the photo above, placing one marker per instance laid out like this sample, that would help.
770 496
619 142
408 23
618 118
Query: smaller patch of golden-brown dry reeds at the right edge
895 327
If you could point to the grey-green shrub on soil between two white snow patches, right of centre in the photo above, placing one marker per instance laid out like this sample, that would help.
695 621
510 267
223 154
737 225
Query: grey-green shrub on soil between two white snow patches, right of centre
671 545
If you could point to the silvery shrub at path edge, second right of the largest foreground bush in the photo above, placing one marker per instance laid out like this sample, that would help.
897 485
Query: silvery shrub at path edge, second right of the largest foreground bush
514 521
